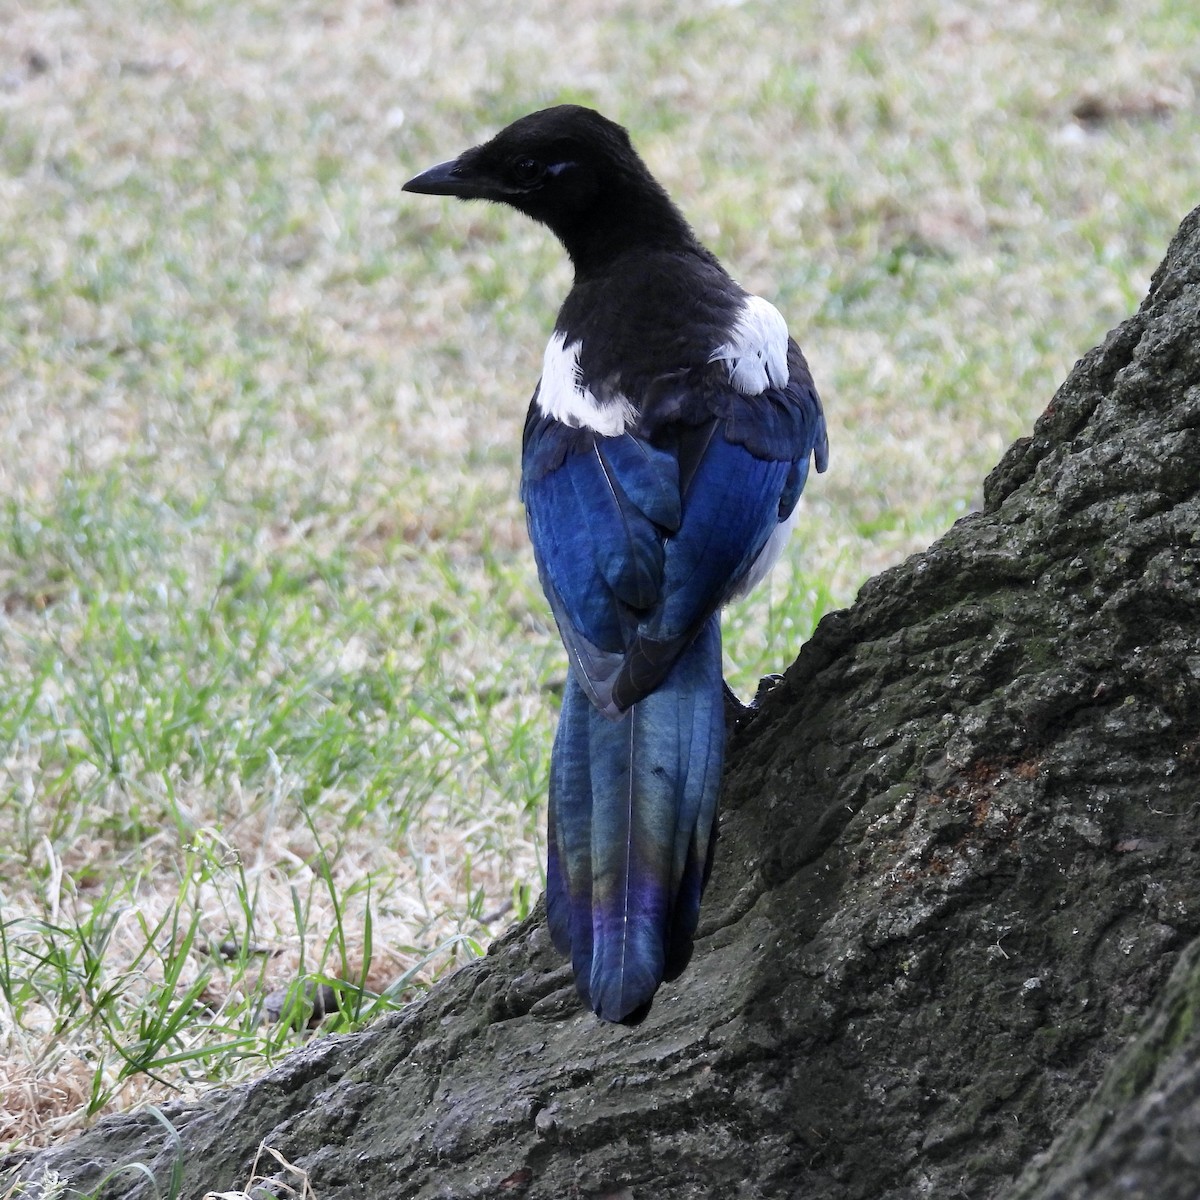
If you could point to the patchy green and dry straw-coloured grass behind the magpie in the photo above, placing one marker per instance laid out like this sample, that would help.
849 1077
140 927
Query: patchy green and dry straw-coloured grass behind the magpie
277 680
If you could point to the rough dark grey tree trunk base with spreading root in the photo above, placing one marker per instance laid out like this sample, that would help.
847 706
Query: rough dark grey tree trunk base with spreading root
952 943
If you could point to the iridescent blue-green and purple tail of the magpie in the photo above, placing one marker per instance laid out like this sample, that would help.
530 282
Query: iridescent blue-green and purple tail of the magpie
633 823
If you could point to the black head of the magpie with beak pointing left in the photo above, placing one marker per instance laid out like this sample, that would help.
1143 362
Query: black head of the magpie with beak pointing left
573 170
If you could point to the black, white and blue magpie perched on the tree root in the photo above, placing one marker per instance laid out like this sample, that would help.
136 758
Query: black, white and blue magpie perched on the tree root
665 449
